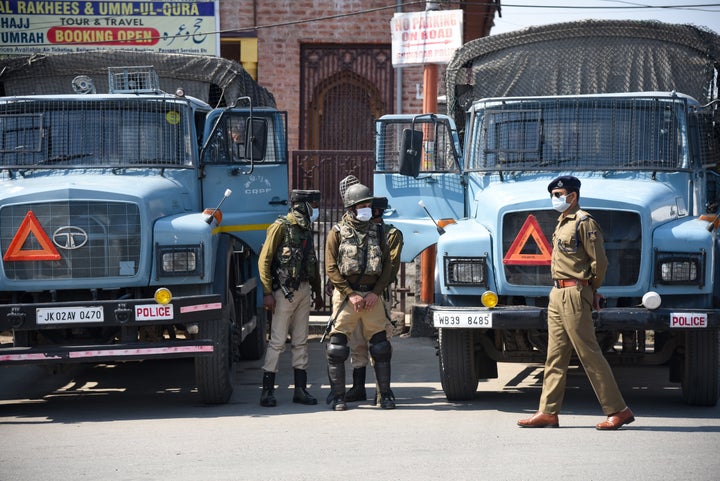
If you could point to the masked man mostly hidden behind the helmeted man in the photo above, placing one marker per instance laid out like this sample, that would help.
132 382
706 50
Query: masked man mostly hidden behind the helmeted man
359 356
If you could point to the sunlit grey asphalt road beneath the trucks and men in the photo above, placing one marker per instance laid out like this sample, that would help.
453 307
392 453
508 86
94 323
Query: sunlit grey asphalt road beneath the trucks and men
144 421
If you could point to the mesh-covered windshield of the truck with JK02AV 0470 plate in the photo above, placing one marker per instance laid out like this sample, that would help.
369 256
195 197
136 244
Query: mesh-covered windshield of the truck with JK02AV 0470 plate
67 133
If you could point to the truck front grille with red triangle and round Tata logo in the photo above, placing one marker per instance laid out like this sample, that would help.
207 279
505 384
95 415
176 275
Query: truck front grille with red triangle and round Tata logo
70 240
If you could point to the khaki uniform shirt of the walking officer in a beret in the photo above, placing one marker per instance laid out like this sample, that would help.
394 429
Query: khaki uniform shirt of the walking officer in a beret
578 249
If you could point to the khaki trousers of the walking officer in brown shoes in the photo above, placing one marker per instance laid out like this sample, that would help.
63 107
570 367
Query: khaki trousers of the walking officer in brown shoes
570 326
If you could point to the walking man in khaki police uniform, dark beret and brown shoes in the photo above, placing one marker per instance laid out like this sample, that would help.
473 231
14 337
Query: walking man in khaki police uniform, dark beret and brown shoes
578 267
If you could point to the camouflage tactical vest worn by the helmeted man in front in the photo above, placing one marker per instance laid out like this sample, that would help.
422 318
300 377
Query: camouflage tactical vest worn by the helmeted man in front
359 254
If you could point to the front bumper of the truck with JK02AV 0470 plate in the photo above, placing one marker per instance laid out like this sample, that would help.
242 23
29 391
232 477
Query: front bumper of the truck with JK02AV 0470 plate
128 315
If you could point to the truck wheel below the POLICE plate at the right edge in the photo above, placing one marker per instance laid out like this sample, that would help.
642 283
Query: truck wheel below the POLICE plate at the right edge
701 373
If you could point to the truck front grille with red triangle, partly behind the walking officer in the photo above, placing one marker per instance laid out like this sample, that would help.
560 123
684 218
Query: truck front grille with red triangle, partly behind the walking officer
528 263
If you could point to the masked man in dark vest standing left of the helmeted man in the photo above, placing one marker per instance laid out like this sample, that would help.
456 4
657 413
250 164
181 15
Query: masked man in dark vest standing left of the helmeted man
290 275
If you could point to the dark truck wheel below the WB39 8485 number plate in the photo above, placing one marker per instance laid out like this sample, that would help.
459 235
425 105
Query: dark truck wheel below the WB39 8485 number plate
457 364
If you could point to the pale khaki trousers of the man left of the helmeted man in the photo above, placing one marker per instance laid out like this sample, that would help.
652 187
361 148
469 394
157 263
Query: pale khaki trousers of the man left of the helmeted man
290 318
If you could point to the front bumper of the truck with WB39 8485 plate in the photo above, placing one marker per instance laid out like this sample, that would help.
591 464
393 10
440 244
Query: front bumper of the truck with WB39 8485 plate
528 317
